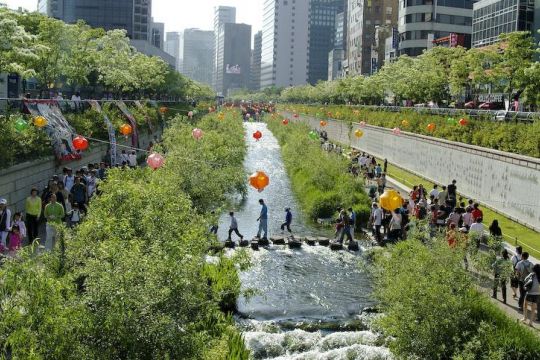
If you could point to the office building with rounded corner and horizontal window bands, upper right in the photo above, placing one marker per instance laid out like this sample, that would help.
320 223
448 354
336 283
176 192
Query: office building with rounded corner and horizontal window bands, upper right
422 22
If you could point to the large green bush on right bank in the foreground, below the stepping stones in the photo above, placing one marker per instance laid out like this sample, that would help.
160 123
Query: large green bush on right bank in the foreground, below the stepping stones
432 309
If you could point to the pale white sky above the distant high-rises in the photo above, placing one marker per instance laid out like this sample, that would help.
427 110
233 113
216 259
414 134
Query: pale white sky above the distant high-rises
181 14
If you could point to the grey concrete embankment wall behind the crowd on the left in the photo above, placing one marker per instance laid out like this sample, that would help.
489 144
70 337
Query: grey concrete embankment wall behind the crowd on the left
16 181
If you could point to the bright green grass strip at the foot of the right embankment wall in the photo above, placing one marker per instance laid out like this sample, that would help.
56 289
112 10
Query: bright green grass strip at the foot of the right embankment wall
515 233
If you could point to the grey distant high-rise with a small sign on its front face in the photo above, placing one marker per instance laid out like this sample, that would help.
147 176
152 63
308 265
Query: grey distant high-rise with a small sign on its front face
234 58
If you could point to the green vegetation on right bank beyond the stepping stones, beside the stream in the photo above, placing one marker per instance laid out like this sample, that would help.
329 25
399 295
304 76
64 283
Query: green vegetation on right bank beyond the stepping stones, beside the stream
320 180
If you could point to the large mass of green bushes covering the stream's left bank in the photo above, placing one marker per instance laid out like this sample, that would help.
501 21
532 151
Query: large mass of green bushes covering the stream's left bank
131 281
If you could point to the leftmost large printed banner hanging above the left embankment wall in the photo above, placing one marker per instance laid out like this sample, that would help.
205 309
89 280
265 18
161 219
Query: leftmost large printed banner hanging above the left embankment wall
57 128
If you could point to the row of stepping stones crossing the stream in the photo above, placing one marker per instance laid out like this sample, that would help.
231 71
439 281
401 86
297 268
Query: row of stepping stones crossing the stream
293 242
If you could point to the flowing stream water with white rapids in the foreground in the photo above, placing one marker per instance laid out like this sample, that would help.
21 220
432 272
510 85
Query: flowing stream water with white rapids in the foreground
308 302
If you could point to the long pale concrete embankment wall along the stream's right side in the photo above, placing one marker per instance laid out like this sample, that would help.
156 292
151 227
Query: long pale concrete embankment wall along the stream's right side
506 182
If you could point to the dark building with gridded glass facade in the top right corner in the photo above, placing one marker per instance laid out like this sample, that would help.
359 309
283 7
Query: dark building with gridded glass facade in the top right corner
494 17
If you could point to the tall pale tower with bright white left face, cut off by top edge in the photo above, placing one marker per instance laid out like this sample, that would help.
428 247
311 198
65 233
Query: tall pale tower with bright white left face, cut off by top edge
285 39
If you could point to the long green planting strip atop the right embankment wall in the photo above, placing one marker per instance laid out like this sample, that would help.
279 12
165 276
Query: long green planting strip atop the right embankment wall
516 137
